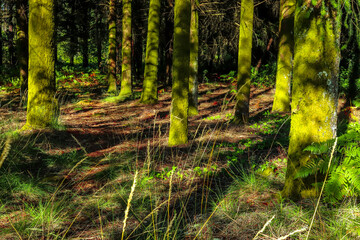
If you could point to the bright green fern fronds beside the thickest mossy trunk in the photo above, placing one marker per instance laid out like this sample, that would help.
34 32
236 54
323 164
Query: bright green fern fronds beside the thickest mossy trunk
344 172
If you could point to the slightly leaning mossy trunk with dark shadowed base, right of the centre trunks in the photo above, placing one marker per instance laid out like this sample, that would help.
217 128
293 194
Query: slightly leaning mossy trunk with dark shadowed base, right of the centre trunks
244 62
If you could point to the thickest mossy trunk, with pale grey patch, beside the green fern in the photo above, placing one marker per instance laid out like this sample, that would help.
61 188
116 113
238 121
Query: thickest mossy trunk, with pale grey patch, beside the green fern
314 93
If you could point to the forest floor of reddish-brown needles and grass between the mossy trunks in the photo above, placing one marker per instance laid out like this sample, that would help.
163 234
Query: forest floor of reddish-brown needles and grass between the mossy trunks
75 182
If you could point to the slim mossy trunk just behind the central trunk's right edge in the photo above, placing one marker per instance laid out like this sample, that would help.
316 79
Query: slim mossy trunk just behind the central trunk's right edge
194 55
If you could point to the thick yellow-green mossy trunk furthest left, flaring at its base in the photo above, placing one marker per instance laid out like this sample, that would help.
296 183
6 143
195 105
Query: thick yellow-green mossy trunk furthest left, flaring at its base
42 107
